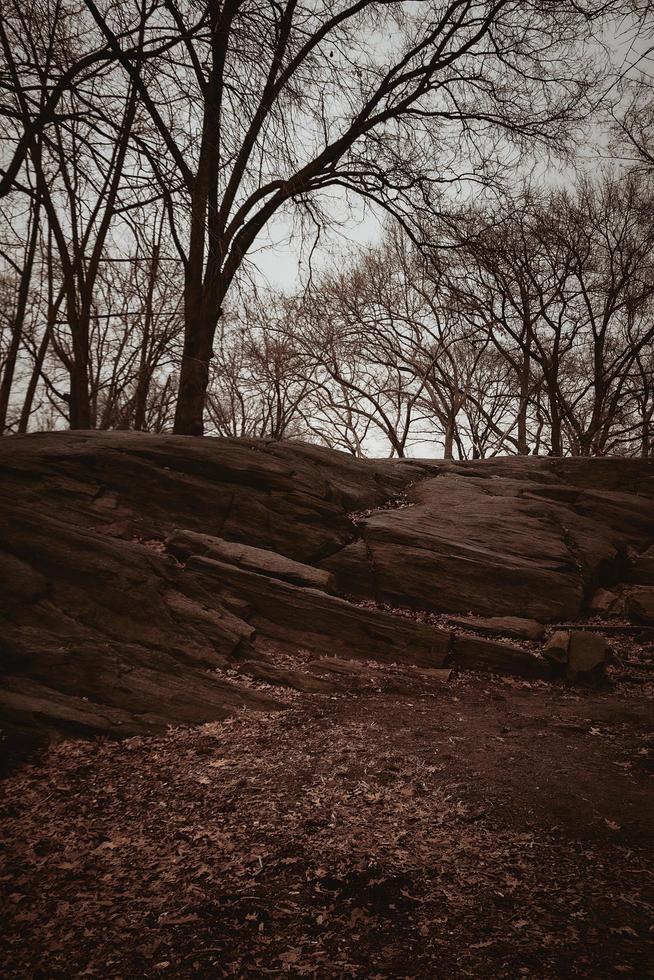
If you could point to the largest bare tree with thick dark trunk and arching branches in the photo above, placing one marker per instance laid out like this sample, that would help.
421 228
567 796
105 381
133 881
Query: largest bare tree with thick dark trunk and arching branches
283 103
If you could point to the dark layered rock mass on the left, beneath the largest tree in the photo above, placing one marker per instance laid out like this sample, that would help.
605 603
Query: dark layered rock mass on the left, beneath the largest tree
102 630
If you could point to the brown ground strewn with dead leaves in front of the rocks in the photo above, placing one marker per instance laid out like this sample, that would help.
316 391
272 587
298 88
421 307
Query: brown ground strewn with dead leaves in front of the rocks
497 828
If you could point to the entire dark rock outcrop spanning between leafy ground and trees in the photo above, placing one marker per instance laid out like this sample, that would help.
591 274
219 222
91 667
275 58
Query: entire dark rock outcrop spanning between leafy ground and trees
124 595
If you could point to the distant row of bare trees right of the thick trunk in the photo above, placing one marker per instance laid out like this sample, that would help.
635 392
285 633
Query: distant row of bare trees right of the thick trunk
532 332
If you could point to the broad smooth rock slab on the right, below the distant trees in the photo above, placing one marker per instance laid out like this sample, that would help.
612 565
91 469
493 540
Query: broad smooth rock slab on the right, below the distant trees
508 537
